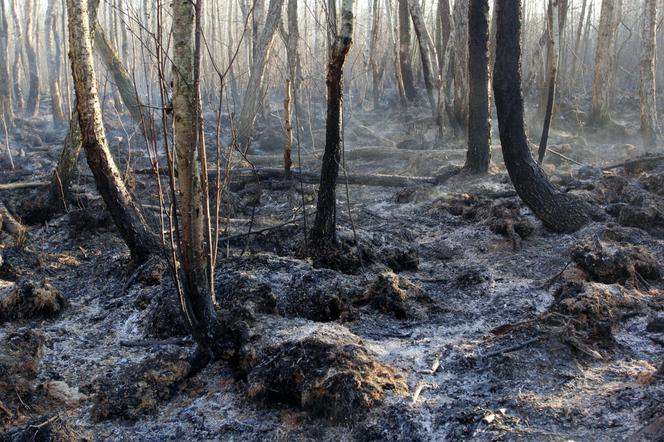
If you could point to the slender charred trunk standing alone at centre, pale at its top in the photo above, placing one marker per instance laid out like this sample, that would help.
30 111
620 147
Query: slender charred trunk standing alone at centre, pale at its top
324 228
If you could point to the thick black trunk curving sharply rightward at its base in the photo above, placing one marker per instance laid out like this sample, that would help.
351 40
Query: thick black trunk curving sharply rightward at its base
558 211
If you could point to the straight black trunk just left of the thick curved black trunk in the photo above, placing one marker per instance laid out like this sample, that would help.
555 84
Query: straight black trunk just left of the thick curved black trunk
479 121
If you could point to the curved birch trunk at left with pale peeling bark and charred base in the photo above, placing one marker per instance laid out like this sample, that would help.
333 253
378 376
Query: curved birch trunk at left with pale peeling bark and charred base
125 212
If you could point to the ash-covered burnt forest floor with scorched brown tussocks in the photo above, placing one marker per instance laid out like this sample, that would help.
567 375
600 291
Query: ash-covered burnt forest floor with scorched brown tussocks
452 312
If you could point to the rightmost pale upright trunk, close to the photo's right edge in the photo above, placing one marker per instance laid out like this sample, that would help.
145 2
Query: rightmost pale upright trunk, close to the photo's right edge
647 89
